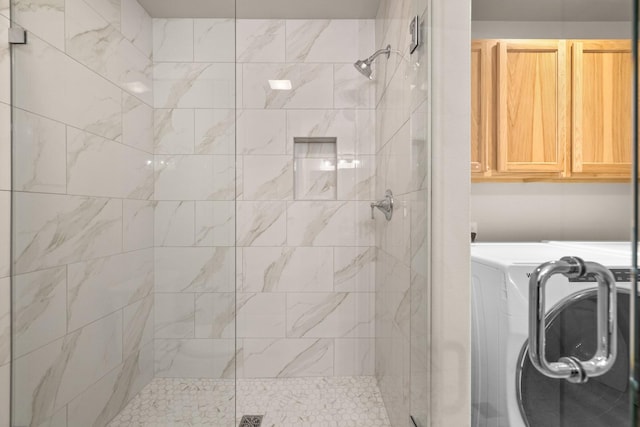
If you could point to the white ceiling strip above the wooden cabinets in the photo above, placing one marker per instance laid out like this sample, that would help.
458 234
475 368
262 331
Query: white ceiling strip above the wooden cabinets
551 10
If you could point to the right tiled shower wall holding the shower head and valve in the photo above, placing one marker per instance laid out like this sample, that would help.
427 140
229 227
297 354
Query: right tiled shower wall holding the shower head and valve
403 157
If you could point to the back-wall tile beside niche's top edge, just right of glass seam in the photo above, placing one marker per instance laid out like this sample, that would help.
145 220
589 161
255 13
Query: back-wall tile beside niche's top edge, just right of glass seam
262 132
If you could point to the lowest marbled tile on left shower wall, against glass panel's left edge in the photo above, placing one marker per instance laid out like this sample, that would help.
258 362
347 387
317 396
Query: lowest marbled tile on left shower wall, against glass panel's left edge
53 375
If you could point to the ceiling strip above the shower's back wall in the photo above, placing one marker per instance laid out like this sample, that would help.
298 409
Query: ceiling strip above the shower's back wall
265 9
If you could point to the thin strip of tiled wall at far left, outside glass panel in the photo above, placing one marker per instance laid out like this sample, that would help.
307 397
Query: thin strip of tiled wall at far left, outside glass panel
5 212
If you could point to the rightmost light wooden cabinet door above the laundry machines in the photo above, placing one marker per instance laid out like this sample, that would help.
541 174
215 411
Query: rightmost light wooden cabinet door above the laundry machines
601 119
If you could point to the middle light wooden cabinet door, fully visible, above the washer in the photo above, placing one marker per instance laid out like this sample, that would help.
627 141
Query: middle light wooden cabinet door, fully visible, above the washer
532 106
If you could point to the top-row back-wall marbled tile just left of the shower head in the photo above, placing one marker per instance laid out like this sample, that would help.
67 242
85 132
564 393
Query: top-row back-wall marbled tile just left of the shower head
321 40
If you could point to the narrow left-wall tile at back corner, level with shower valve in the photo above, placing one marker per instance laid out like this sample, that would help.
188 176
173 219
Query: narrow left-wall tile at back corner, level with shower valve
137 224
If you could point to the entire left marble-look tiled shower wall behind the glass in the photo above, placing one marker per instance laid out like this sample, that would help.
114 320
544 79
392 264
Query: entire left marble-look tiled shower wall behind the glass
83 210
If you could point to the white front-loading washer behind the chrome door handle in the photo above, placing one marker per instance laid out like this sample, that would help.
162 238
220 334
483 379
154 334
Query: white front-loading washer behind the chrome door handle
507 391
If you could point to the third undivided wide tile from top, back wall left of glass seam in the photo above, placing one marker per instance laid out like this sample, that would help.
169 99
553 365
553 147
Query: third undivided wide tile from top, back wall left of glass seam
195 269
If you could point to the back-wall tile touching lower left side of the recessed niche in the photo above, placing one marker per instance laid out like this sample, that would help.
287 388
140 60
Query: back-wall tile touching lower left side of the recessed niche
267 178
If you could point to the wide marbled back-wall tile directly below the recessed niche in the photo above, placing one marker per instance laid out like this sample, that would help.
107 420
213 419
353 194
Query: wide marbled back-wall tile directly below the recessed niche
321 223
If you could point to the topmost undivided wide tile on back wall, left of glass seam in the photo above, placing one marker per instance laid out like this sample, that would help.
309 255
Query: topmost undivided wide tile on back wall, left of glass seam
194 85
